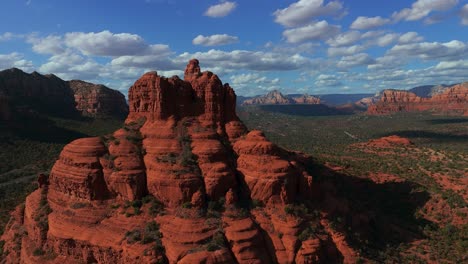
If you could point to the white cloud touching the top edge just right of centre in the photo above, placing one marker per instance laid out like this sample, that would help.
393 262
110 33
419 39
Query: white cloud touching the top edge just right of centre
304 11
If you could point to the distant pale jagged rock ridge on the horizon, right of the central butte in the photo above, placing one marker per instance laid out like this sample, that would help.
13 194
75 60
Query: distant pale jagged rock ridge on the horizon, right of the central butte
276 97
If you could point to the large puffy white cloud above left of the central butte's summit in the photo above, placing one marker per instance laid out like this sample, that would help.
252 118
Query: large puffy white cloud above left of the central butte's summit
106 43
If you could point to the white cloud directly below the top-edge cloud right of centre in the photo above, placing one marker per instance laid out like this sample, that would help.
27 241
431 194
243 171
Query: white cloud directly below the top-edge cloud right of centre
316 31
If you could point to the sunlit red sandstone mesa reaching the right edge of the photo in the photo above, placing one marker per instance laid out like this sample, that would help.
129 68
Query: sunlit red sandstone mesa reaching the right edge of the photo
453 100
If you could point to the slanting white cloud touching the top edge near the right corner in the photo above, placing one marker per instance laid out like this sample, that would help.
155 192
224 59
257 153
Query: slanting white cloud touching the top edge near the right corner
422 8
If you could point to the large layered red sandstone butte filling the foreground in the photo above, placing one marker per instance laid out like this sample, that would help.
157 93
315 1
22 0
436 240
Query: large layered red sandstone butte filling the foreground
153 191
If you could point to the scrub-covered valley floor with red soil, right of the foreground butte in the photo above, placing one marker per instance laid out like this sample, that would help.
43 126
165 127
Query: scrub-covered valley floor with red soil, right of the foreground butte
420 187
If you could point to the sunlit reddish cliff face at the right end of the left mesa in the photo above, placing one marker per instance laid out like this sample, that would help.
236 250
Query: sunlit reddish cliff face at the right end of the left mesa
93 99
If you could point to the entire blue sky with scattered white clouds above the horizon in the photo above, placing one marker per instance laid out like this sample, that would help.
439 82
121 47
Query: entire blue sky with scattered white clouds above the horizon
296 46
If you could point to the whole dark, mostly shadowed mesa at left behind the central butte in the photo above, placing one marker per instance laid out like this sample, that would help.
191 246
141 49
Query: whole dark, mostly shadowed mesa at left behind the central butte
30 94
